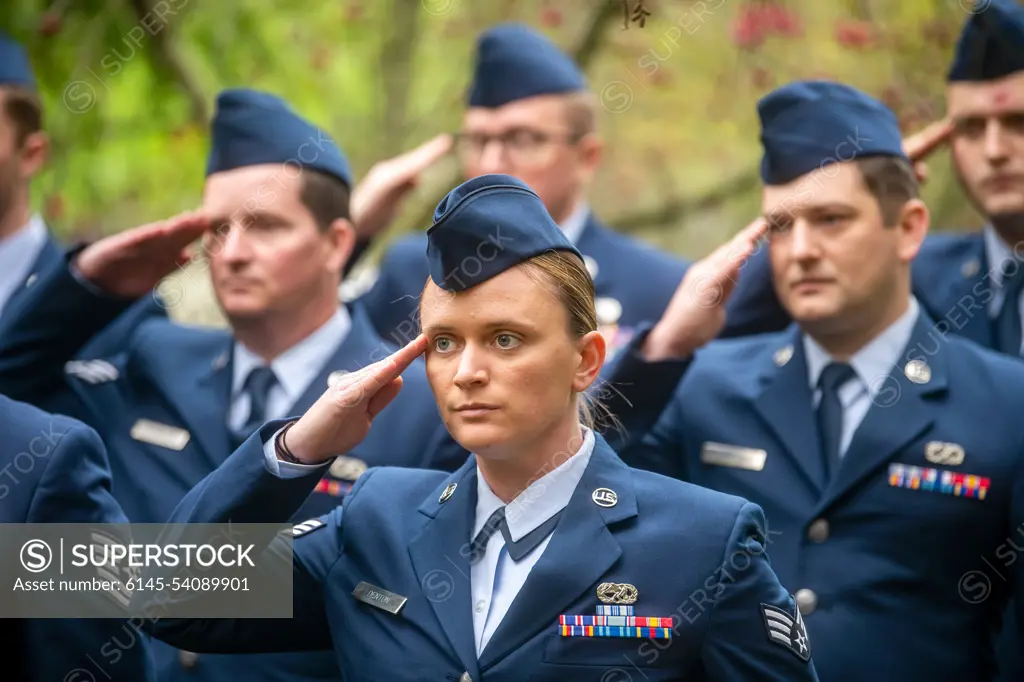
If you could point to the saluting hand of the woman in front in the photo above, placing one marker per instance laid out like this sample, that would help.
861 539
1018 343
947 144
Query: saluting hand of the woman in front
342 417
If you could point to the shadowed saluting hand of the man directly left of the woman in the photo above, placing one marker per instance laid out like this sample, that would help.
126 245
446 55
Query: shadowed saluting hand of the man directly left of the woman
133 263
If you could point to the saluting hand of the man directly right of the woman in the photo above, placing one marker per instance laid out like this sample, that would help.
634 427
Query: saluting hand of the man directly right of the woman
697 313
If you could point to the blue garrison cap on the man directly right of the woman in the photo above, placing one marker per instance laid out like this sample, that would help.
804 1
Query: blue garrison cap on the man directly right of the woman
809 124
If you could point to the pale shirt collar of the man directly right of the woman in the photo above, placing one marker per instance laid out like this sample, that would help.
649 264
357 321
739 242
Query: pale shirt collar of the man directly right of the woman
875 360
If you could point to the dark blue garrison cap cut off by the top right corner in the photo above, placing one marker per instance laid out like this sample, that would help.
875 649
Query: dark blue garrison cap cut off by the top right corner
992 45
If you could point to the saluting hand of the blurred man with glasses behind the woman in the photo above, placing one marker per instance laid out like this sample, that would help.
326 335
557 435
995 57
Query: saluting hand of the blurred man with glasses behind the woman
377 198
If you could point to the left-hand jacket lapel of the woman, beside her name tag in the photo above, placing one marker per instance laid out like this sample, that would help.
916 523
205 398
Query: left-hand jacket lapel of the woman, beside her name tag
440 556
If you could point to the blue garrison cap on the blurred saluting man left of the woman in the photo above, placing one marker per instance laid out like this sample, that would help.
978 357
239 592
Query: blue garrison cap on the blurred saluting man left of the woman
252 129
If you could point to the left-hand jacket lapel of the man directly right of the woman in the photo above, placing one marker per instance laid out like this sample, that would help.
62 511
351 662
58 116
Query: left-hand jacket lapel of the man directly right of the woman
786 405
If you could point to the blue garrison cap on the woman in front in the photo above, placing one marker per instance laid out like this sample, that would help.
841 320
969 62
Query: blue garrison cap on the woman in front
487 226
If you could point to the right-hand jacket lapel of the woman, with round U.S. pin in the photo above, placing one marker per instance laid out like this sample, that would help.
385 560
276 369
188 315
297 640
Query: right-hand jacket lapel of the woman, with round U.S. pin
582 549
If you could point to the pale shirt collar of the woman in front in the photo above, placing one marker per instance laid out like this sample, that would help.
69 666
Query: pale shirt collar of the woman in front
542 500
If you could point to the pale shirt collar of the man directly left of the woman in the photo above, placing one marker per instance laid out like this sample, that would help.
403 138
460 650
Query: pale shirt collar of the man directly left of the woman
298 367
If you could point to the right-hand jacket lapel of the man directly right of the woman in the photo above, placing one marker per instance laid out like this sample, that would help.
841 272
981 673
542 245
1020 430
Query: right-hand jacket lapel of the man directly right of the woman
903 410
